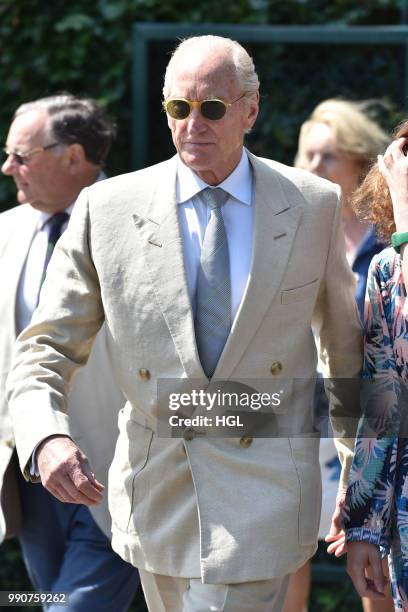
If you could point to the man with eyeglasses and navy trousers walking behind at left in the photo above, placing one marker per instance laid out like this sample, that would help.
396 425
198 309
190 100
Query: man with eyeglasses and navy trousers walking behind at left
55 147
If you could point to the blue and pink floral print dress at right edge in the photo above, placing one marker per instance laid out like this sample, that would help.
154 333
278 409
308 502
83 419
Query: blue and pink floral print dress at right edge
376 508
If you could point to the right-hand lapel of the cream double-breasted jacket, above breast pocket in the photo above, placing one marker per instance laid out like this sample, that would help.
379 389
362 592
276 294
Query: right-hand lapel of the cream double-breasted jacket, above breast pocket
277 215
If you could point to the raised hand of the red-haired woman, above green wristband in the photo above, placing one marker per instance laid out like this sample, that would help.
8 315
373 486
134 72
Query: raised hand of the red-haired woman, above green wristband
393 165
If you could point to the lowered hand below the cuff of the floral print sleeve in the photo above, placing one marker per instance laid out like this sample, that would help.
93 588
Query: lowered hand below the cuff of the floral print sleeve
360 556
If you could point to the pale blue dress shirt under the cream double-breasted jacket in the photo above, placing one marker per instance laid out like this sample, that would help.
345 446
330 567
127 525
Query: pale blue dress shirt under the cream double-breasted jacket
238 215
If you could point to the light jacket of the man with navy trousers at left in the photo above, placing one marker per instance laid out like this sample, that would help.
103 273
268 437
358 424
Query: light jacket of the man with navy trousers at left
95 398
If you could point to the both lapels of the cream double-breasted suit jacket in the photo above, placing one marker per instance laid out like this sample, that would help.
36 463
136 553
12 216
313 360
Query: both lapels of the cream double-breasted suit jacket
278 210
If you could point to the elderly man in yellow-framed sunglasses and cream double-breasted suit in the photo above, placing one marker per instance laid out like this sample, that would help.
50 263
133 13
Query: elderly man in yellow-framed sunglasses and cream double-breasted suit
214 523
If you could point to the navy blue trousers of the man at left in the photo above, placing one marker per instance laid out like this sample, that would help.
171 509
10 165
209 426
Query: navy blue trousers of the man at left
65 550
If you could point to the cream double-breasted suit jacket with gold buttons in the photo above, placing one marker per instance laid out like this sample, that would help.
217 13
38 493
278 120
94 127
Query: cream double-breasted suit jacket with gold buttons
201 506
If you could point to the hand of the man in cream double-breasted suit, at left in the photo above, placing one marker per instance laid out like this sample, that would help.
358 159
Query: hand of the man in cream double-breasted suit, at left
66 473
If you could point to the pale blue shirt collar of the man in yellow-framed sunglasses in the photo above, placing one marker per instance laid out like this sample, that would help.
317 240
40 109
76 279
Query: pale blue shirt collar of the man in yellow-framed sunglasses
238 184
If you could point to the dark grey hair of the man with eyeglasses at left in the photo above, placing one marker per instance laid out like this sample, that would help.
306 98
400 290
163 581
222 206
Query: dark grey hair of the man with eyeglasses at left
76 120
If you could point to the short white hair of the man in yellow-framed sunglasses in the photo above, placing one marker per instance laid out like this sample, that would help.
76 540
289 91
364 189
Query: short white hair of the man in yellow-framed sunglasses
242 61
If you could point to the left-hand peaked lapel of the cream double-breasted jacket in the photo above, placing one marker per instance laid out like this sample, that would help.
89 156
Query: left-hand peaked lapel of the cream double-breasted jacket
162 245
